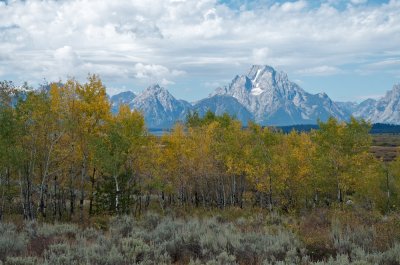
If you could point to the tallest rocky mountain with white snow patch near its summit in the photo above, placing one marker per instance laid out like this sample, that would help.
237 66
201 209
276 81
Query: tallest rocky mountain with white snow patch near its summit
274 100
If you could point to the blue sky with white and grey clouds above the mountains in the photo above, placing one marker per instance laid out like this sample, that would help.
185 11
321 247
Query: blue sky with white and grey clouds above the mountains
349 49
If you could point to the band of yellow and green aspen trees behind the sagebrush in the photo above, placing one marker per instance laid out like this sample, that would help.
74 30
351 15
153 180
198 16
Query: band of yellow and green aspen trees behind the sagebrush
64 155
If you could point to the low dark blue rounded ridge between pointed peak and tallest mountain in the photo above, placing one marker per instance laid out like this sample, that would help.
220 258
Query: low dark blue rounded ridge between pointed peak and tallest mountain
220 104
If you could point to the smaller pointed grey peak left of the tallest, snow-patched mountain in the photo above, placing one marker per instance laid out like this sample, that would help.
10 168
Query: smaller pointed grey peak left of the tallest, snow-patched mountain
160 108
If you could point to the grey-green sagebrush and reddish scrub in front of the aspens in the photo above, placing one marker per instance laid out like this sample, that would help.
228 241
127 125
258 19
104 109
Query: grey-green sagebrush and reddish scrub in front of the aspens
320 238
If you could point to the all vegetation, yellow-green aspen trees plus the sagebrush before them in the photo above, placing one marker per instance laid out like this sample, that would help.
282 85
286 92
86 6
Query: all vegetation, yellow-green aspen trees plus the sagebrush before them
72 174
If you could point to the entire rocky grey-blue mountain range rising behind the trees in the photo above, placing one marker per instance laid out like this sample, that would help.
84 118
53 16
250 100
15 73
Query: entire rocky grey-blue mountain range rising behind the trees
263 95
